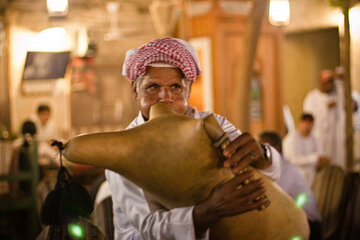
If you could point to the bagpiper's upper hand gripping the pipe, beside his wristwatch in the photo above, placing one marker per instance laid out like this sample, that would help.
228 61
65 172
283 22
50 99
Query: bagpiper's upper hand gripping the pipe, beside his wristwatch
243 151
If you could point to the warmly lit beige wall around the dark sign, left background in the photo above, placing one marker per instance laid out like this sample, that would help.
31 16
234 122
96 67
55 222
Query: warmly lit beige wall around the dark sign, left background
113 105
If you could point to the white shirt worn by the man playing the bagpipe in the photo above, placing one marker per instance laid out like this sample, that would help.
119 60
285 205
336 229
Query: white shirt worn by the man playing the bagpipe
137 218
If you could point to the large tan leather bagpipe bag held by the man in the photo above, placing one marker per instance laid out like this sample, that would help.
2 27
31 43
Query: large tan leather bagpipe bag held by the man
172 158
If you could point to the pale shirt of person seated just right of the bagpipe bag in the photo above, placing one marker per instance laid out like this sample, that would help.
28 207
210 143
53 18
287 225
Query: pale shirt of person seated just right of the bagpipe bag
293 183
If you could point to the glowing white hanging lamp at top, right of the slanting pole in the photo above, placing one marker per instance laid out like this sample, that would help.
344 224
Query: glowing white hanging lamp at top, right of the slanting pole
279 12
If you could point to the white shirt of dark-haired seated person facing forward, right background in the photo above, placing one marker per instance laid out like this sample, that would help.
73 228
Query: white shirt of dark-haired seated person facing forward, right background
303 152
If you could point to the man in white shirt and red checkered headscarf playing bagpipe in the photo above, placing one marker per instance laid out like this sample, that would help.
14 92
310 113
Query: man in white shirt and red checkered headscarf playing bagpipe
163 71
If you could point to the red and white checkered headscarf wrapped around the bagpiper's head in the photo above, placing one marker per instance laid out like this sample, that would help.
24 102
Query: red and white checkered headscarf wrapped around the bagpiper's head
162 52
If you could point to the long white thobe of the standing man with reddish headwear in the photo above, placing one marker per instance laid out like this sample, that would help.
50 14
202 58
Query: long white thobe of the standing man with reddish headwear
329 125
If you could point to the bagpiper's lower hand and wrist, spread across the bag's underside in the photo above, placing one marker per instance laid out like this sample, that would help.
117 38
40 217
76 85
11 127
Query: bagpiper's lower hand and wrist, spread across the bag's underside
230 199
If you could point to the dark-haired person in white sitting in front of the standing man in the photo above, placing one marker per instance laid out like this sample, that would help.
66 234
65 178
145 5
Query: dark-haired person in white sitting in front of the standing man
301 148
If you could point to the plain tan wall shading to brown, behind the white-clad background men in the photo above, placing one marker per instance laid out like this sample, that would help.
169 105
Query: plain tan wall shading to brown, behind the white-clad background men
305 55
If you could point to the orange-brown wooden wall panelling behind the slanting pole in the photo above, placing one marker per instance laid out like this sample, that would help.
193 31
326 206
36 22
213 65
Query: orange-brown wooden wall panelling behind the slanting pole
226 31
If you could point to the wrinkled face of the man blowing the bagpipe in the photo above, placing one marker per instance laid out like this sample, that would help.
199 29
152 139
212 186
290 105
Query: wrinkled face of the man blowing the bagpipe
161 84
